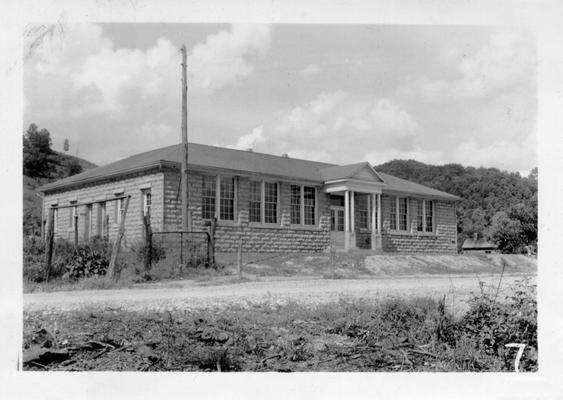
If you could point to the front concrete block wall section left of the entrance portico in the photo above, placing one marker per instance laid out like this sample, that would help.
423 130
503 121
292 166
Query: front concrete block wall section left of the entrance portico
280 237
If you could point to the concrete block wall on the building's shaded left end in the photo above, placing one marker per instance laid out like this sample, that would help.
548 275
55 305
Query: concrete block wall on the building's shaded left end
94 194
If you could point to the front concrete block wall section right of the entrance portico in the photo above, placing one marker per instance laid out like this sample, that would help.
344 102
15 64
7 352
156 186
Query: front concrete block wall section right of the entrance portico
442 240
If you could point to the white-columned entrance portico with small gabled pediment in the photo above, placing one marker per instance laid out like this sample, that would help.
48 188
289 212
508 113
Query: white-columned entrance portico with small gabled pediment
350 182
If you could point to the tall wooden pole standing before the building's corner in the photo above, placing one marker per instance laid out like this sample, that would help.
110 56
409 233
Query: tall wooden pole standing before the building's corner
186 223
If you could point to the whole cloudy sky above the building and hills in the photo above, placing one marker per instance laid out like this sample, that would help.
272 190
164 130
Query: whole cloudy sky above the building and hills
334 93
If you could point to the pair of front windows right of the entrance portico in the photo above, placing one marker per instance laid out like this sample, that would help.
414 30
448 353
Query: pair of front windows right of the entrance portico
399 214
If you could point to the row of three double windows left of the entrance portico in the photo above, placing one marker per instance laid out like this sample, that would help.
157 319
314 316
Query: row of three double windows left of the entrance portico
218 200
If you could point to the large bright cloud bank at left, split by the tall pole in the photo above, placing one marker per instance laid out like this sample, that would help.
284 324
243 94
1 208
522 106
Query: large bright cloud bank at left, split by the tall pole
79 84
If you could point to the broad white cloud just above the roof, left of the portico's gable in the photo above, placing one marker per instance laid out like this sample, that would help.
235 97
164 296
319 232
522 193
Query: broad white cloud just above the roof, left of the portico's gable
333 127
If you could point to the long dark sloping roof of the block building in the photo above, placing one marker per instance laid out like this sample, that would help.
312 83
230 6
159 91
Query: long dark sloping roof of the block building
205 156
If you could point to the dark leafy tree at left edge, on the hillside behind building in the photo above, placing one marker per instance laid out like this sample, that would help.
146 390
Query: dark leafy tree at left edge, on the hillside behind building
36 152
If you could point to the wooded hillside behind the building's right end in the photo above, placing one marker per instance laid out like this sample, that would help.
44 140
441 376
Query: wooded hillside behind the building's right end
497 205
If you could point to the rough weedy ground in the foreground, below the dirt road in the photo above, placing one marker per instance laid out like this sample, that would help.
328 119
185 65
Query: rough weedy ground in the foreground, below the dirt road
349 335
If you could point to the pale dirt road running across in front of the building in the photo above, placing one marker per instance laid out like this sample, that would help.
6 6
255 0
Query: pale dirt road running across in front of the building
189 295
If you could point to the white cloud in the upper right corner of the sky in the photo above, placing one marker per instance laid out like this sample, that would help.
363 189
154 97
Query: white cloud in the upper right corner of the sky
506 61
